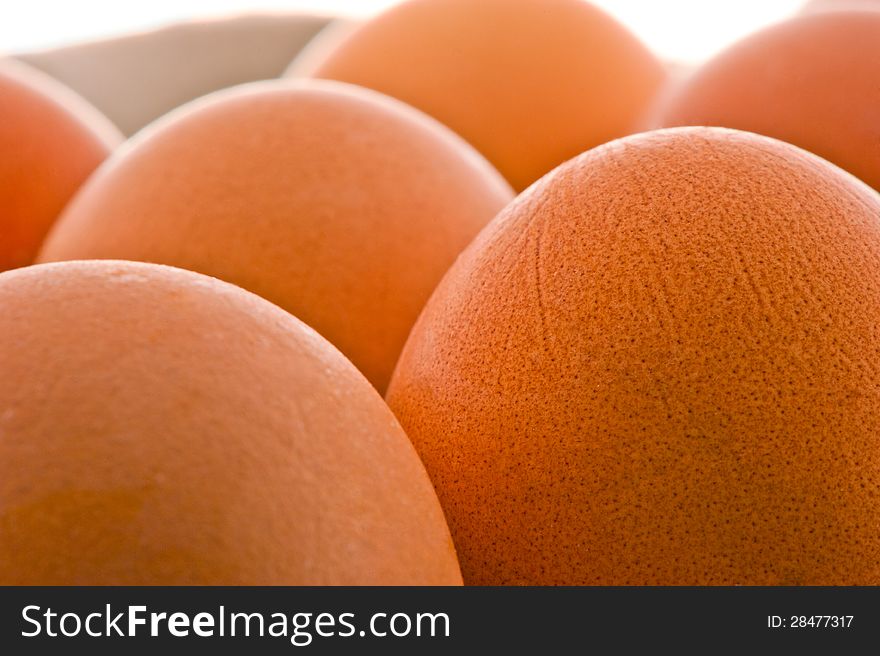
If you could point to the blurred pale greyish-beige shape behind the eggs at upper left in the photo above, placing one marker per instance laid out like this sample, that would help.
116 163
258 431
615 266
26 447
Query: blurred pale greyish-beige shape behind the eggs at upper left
137 78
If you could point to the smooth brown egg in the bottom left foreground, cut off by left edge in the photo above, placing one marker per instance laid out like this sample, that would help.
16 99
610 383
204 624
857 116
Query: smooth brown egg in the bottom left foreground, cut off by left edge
159 427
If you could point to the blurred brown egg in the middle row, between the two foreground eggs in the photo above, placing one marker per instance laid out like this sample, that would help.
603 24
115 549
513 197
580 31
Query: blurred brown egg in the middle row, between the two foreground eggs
340 205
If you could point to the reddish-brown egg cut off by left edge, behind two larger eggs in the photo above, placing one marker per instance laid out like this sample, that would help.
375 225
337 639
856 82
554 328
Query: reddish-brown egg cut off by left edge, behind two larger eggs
50 142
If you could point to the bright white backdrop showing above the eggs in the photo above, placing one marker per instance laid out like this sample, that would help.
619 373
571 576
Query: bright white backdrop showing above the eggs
680 30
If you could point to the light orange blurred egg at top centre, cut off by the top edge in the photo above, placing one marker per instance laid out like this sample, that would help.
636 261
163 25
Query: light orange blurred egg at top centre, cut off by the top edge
530 83
